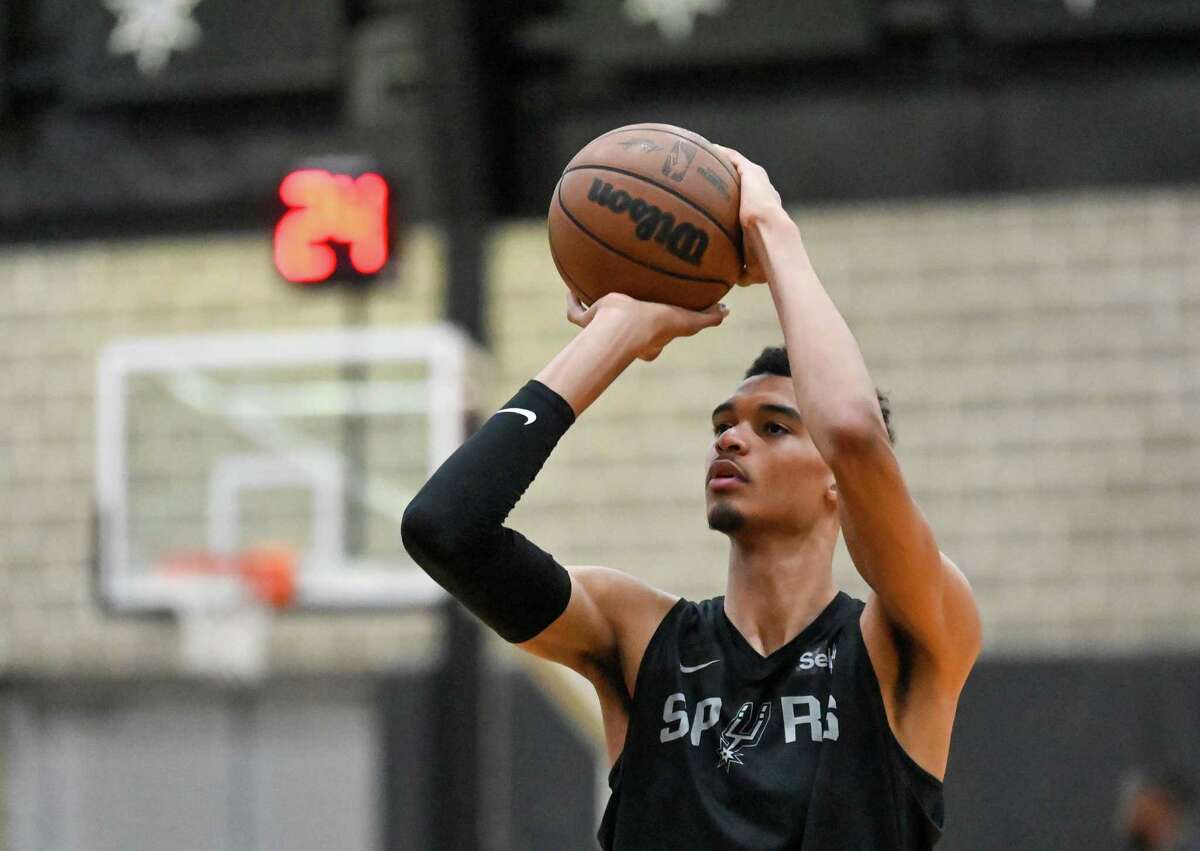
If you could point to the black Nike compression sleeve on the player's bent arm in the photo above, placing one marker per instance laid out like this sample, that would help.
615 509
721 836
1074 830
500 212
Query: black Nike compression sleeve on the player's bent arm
454 526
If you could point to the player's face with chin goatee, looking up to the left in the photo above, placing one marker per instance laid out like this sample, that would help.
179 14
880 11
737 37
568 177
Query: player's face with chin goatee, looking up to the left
781 481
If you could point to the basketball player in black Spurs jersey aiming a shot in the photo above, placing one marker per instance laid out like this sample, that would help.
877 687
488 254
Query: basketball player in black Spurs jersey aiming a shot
785 715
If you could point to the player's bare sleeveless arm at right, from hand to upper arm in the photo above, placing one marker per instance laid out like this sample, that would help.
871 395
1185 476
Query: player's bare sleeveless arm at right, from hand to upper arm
919 591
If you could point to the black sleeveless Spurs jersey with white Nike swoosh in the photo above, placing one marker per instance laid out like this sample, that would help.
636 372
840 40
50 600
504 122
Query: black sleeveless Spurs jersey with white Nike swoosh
728 750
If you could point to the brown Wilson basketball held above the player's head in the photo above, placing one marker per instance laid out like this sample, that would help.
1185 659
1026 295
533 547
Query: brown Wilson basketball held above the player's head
650 211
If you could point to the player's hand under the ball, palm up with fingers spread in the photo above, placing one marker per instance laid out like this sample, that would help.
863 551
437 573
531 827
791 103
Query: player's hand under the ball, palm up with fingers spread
656 325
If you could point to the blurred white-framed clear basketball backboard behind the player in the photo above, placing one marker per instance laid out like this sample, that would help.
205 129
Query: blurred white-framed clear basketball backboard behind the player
310 442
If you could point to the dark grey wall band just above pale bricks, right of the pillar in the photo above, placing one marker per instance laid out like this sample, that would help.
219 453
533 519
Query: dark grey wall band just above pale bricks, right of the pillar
1019 136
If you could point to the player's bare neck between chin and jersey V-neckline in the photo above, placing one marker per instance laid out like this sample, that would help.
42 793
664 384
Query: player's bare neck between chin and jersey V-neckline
777 586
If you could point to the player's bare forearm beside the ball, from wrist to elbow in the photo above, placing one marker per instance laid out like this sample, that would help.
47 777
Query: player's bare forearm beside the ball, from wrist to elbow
833 389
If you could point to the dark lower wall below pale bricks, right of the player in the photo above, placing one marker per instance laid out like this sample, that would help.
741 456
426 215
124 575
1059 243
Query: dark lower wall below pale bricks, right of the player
1040 747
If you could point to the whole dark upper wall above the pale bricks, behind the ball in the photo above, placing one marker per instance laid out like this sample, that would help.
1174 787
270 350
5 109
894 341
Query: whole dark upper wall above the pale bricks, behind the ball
476 106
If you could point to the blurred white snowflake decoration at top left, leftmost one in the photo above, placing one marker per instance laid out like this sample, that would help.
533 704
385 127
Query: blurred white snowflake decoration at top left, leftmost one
152 29
